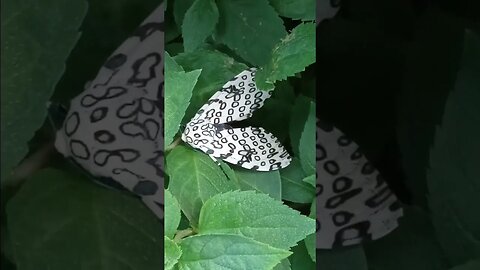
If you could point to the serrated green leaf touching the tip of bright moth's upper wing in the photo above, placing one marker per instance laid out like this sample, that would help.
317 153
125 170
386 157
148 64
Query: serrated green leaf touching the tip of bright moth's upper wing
292 55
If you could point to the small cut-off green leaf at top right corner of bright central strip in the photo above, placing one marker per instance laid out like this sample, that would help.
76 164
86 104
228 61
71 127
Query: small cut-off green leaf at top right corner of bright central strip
295 9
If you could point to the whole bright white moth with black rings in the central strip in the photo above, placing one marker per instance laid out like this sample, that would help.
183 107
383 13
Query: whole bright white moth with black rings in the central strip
249 147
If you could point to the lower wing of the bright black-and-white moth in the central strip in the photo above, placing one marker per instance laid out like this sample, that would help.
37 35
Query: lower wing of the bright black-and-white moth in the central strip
253 148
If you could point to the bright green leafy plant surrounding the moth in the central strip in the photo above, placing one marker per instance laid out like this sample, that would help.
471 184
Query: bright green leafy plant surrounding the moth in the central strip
236 216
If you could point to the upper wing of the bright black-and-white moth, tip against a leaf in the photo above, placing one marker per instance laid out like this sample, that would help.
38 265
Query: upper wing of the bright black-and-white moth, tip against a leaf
237 100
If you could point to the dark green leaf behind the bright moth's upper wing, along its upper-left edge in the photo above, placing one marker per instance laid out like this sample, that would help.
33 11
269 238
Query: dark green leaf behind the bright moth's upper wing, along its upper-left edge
217 69
